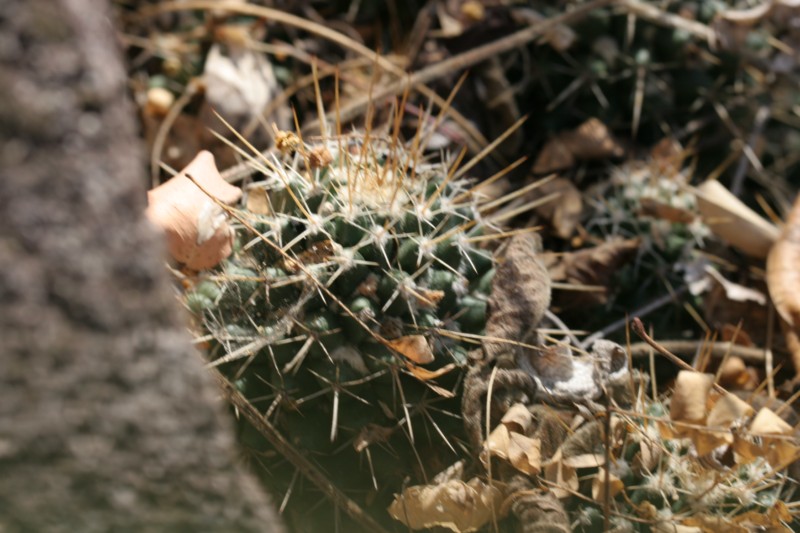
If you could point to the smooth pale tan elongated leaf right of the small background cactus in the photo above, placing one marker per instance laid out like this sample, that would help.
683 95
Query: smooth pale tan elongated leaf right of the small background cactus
733 222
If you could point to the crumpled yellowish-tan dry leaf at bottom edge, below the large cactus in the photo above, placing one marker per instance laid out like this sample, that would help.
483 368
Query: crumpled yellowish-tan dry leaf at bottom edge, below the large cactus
455 505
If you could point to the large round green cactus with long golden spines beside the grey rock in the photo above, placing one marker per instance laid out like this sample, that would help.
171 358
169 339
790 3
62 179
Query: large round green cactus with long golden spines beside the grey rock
368 276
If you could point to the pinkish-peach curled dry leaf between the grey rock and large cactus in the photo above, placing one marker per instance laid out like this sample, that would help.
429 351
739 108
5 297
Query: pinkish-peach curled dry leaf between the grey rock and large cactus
197 231
